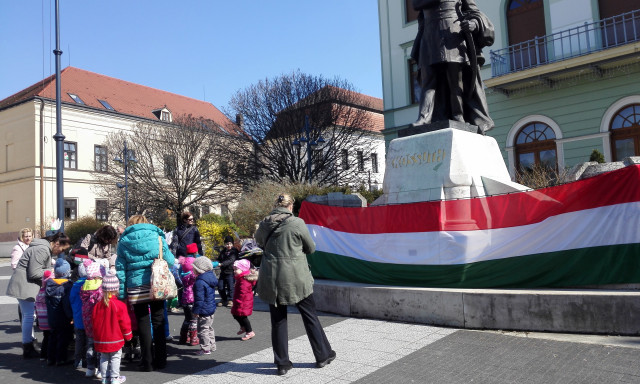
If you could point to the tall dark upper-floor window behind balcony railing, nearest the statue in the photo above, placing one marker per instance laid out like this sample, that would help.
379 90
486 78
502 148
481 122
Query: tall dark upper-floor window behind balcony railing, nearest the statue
525 23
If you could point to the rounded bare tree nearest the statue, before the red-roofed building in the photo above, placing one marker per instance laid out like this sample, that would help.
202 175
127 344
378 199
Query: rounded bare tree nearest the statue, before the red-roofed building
274 113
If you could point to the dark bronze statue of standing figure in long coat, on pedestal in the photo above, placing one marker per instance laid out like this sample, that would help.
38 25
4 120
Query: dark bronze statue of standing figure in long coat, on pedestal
447 48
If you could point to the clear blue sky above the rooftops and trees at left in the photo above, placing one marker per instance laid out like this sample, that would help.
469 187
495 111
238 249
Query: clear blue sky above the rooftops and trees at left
206 50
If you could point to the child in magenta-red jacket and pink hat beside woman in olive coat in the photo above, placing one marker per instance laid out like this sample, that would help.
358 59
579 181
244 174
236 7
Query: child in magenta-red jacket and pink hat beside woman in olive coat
245 278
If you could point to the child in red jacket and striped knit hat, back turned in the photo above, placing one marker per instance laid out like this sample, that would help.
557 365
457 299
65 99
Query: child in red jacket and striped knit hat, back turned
111 327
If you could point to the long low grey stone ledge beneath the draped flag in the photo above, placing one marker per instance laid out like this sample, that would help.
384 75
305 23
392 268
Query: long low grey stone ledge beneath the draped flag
592 311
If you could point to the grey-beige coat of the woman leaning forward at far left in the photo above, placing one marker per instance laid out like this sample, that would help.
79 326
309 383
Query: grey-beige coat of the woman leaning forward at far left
27 277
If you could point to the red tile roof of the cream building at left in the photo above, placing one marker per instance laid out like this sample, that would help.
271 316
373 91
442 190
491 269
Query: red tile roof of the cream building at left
125 97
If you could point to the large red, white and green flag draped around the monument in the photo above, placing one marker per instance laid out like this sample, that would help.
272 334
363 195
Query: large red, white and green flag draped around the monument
581 233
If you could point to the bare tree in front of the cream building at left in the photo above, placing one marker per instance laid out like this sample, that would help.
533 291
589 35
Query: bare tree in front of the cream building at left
187 163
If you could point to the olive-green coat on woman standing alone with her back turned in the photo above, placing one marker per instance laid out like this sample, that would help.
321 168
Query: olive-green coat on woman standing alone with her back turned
285 278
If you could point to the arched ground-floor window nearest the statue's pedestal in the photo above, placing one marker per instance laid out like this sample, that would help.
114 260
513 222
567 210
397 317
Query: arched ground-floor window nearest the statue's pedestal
536 146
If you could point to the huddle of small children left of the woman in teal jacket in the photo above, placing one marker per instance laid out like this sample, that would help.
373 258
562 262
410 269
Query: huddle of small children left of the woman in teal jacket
88 307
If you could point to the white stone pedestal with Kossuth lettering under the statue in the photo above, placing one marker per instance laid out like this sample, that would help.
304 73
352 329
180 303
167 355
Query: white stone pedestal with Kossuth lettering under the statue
442 165
